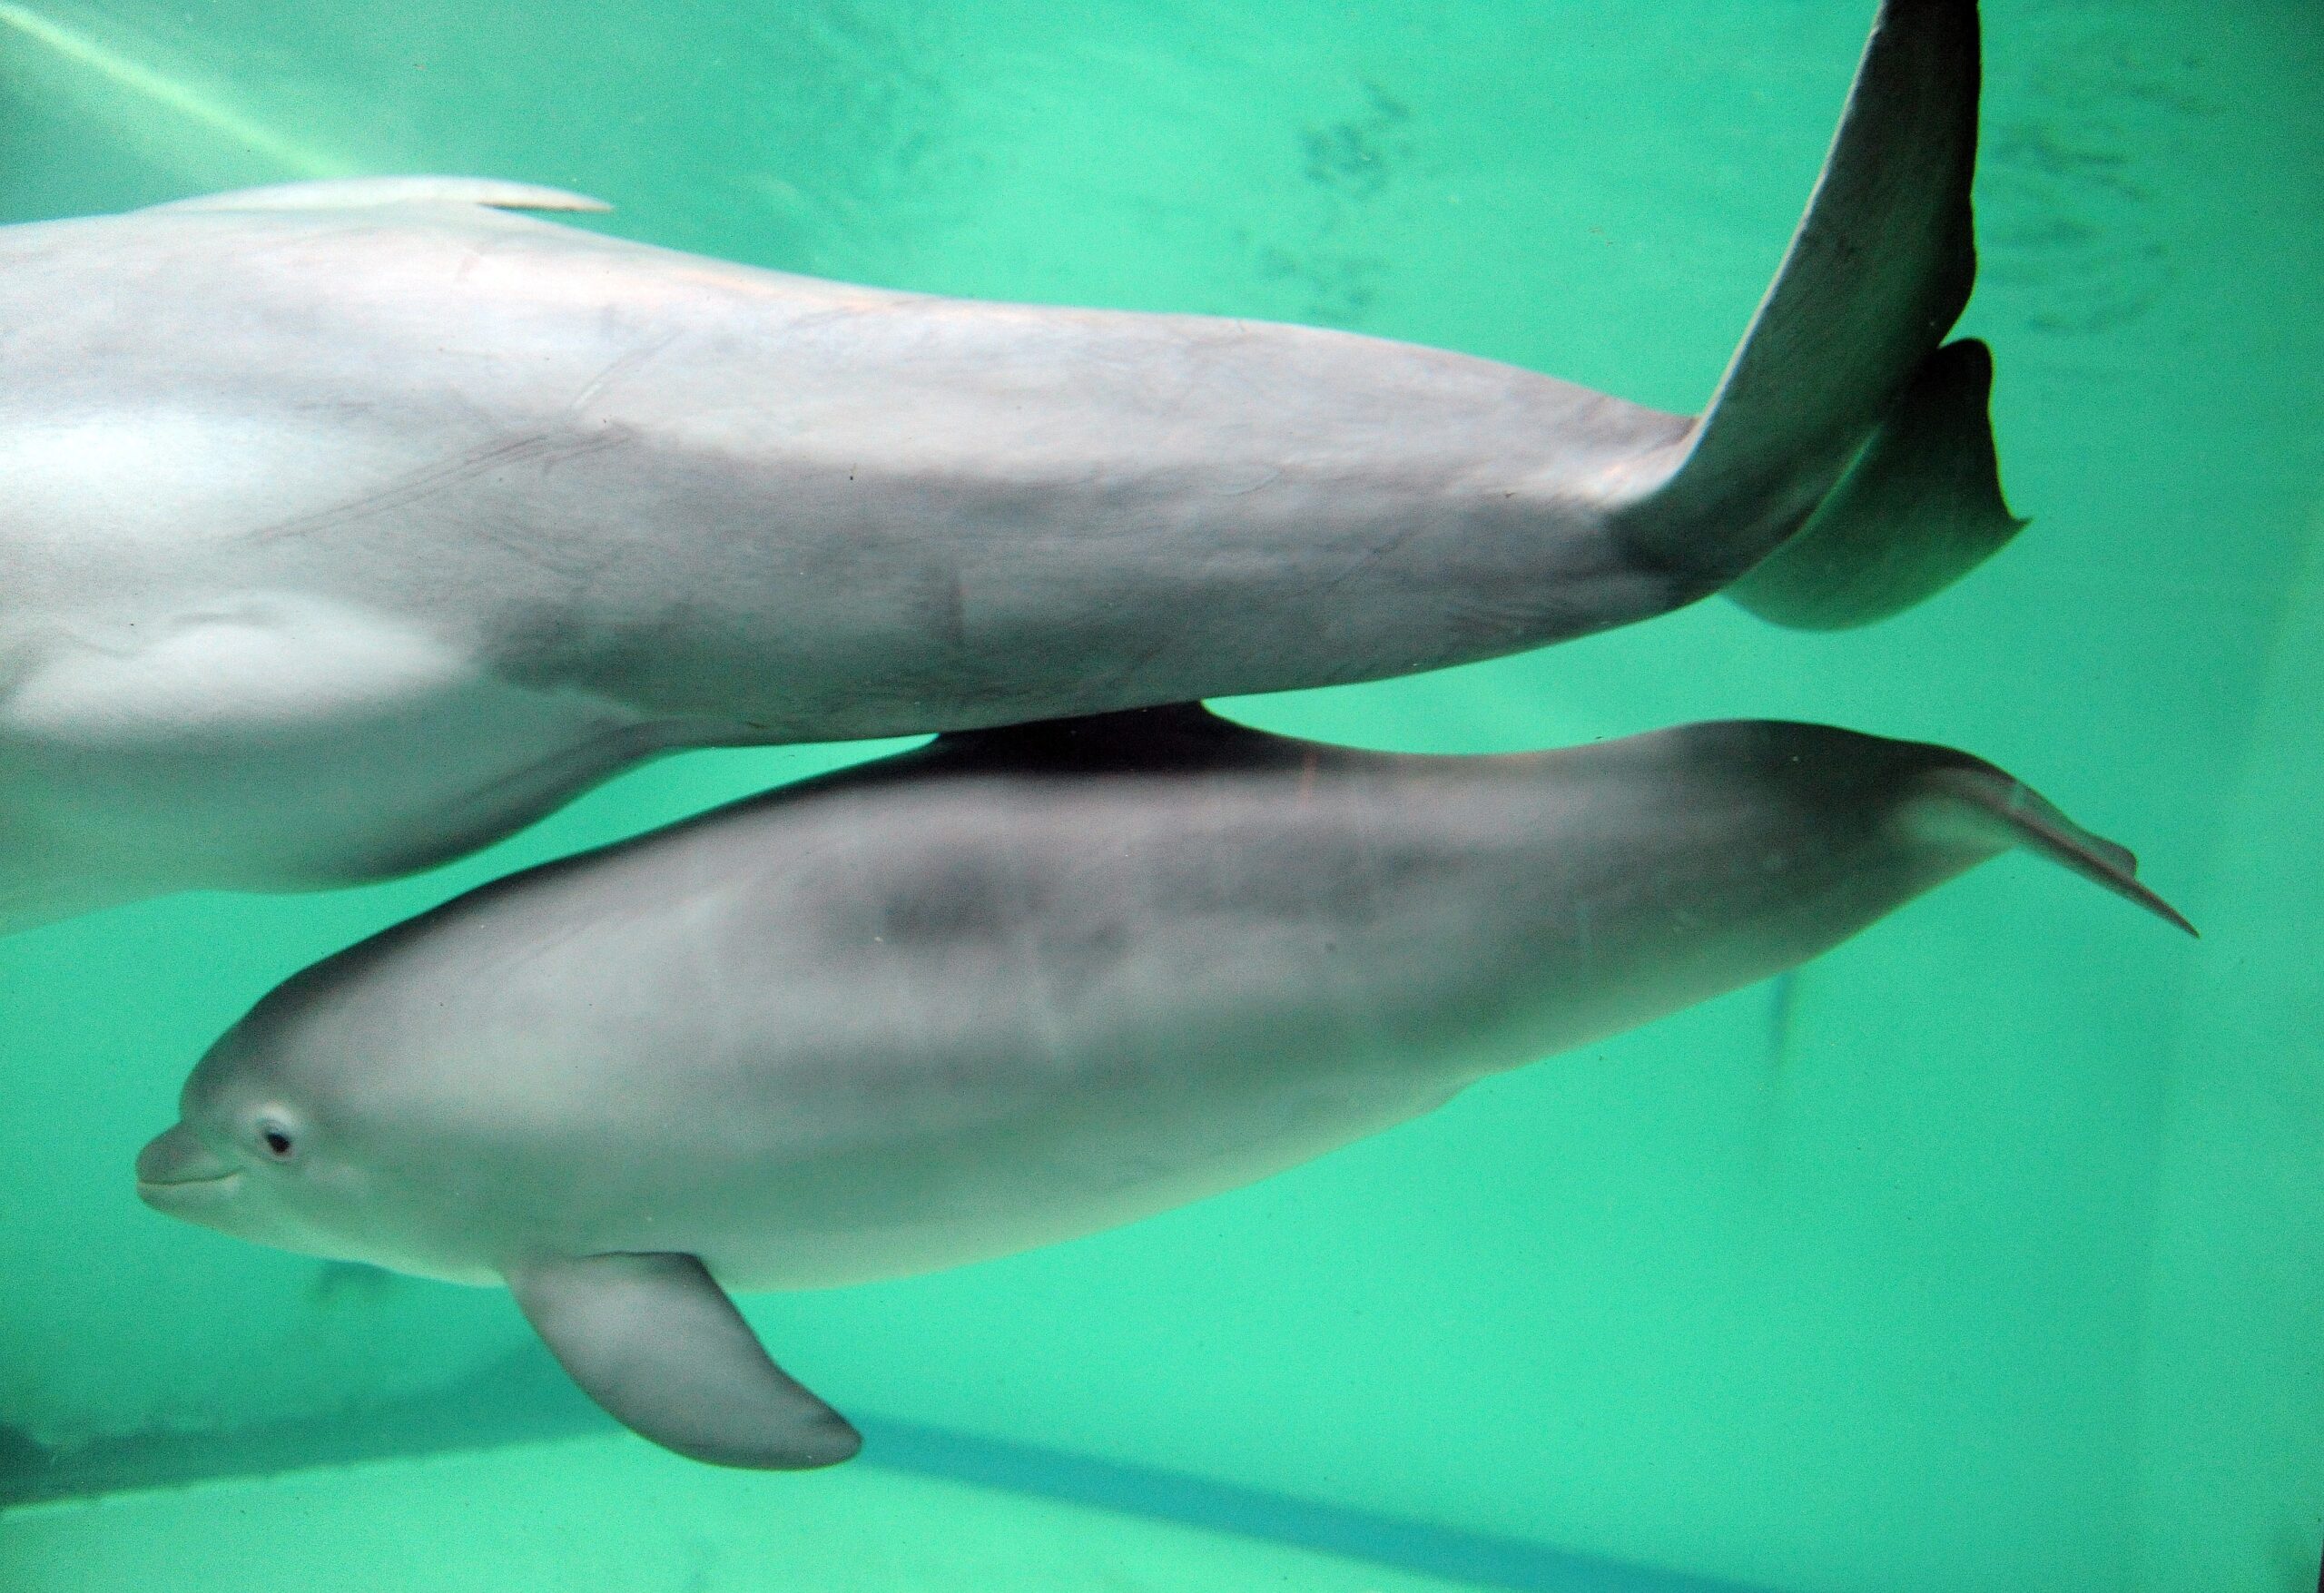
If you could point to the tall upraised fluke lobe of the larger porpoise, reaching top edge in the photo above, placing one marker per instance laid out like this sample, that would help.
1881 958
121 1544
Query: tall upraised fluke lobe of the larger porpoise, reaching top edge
1874 280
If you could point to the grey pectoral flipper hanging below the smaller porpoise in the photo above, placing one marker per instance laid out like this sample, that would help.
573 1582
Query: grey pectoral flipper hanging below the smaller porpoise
664 1350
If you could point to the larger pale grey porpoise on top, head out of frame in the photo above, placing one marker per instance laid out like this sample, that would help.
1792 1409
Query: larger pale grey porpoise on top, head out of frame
354 526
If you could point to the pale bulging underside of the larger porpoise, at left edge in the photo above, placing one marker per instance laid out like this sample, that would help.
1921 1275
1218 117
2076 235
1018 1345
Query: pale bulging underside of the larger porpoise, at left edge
275 742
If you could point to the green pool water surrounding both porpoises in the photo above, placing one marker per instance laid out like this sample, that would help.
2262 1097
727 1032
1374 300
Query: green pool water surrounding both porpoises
1986 1253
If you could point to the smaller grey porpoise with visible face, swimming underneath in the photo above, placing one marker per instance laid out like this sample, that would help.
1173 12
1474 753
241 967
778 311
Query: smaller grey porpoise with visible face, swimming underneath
1014 988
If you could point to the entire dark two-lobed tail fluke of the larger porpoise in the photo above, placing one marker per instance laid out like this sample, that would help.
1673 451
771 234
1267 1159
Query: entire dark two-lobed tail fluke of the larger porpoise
1842 410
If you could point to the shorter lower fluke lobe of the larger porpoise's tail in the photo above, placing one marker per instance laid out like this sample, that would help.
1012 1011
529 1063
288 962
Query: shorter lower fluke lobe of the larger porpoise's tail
1916 512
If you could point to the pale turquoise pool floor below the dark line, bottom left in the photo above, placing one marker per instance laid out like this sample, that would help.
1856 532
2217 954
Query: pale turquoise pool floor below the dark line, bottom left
603 1515
